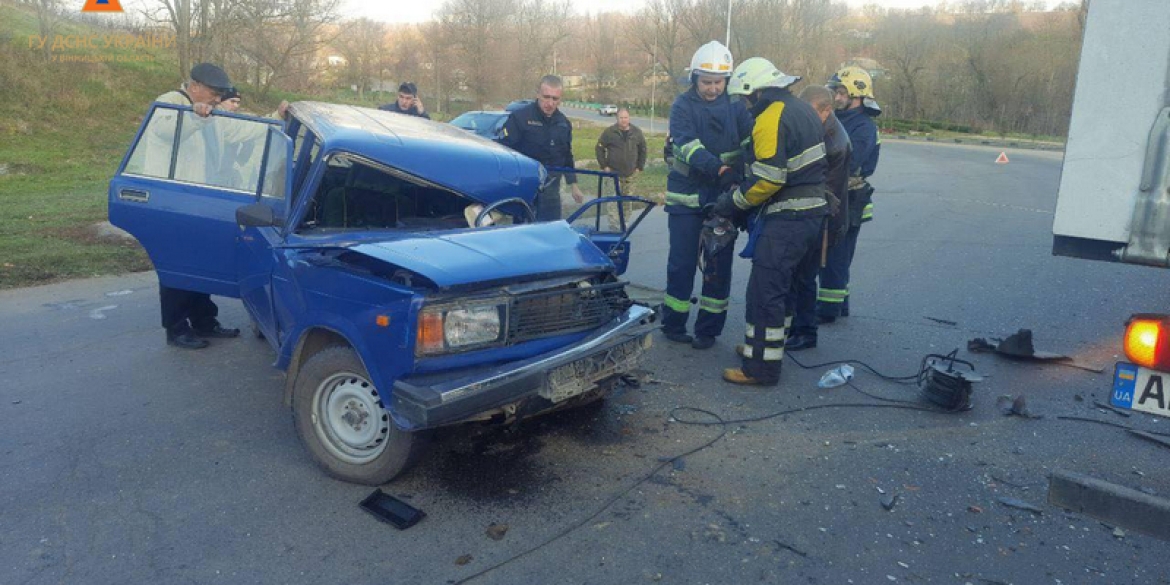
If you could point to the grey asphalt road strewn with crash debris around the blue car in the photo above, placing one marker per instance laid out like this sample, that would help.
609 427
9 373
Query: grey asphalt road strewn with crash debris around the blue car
126 462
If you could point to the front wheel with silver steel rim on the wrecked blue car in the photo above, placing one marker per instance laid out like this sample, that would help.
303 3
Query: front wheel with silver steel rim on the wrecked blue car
342 421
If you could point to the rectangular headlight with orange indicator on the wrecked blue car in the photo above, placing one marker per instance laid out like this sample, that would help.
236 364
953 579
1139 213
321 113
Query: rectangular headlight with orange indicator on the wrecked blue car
458 328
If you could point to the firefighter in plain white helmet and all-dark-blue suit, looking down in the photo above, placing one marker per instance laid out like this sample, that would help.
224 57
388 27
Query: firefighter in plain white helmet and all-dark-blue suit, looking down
707 132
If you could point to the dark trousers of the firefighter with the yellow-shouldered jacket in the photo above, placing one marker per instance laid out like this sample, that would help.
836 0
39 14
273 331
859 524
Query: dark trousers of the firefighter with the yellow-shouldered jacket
781 250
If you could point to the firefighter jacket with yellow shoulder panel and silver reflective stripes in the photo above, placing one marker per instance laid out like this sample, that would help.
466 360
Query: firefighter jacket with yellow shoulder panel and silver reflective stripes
788 153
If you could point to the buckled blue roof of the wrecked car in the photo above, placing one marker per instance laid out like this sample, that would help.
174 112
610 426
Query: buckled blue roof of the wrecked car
435 152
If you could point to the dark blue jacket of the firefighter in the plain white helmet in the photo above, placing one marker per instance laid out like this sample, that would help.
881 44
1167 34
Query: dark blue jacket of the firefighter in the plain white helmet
706 136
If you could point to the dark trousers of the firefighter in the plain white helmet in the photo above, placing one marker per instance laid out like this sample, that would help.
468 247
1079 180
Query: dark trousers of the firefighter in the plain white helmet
682 264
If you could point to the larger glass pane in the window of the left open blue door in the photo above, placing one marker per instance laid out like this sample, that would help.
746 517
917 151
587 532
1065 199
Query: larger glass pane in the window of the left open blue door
221 153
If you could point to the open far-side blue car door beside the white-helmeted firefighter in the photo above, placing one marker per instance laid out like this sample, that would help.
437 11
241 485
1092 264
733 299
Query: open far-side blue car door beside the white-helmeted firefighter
612 239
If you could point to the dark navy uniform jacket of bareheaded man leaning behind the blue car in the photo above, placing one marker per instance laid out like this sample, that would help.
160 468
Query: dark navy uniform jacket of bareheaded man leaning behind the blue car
547 140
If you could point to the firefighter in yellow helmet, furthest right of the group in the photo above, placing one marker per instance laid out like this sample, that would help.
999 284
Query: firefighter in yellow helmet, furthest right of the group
856 109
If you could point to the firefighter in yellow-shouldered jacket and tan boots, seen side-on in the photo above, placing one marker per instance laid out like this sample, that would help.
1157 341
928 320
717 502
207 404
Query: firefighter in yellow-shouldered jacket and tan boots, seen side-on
786 189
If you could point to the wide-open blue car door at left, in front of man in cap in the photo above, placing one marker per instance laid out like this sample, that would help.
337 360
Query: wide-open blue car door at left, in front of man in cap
178 189
